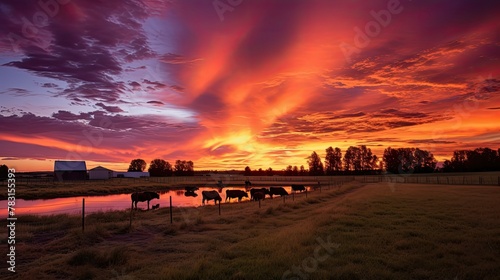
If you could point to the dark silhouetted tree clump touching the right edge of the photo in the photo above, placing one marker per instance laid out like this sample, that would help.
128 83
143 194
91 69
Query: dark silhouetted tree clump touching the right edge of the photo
480 159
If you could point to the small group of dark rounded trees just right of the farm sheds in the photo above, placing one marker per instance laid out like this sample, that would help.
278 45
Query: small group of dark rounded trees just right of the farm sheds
161 168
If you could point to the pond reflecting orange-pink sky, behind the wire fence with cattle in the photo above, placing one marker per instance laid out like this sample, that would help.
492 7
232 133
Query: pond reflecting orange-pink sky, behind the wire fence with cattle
73 205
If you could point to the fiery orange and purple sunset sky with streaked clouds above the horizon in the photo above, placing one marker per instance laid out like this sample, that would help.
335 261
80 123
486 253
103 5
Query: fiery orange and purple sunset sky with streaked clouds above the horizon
231 83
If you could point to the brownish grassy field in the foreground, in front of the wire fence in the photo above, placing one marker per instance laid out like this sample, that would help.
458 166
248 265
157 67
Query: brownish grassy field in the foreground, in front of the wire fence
360 231
